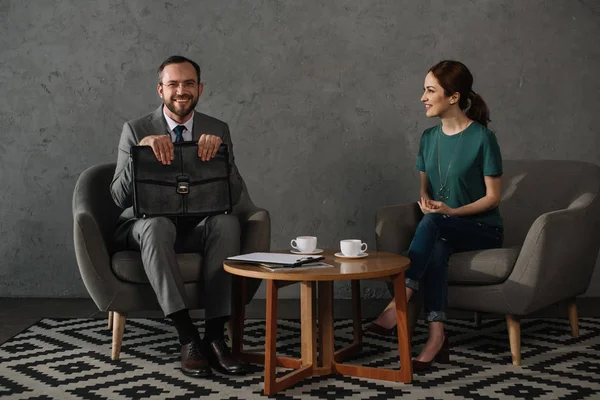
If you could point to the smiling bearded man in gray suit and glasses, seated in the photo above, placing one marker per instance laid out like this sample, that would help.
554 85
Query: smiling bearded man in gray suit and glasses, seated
159 238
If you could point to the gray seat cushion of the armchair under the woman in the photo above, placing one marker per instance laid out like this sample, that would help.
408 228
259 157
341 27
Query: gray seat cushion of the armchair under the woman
482 267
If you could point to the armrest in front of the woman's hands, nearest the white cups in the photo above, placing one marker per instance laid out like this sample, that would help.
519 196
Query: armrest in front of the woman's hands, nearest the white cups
395 227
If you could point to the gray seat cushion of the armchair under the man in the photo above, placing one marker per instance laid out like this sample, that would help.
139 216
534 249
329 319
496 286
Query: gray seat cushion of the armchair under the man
127 266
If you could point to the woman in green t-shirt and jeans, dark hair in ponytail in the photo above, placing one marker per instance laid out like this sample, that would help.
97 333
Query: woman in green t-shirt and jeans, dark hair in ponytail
461 167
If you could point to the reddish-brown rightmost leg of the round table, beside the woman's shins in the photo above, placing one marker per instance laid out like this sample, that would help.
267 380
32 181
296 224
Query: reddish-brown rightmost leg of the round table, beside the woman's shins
402 324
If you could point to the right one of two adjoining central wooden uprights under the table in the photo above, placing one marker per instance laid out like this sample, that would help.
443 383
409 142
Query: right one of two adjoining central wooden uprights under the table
326 336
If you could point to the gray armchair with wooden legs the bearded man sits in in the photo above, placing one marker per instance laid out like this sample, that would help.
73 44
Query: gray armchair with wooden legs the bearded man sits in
116 279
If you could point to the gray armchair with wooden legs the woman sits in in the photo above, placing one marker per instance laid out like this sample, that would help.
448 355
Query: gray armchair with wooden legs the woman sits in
551 212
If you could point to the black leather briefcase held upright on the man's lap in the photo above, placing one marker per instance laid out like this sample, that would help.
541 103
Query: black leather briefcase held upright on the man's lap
189 187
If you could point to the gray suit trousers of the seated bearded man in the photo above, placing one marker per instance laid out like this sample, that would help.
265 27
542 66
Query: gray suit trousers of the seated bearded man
159 239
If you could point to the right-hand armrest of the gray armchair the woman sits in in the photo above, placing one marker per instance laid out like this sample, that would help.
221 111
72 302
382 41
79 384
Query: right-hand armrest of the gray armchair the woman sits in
558 256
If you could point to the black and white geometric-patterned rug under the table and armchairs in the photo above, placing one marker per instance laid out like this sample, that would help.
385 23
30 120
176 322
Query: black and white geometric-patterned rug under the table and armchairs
70 359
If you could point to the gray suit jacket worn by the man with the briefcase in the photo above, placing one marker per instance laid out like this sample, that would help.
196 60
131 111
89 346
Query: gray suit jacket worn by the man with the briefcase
134 131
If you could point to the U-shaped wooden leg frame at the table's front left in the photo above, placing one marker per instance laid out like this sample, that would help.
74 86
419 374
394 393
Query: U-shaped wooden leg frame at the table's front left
308 340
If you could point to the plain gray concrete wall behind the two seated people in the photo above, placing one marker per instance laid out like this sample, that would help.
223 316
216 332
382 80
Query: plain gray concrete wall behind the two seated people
322 98
